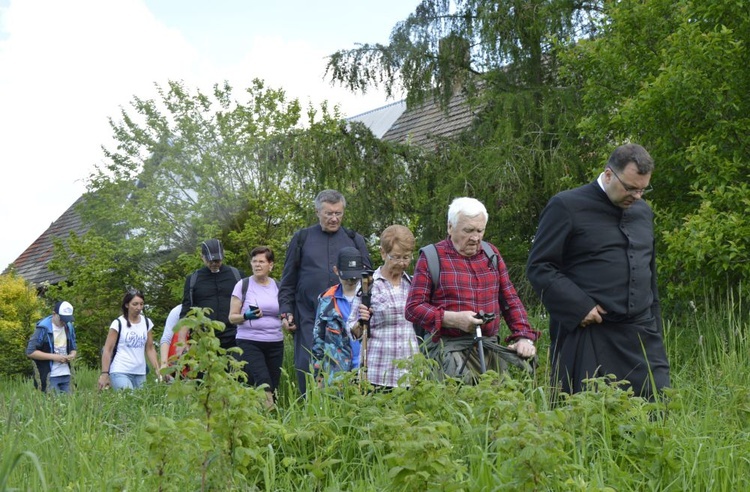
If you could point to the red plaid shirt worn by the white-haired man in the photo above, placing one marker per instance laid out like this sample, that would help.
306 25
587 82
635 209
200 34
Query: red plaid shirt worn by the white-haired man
466 284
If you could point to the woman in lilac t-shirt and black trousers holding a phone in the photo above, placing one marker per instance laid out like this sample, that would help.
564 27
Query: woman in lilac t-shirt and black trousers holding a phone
255 310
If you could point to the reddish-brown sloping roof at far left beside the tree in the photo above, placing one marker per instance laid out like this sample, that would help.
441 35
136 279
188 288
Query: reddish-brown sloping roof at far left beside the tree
32 264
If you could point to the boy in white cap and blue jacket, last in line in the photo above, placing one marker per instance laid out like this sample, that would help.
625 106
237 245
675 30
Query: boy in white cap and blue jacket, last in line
52 347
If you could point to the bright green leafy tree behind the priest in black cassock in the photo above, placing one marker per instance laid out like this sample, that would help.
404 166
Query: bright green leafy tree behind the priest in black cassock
673 77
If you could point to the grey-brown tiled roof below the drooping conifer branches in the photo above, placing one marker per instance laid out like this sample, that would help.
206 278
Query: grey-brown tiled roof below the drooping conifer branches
427 123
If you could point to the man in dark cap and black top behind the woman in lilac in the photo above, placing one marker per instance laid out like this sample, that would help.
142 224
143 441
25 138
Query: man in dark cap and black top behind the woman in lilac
211 287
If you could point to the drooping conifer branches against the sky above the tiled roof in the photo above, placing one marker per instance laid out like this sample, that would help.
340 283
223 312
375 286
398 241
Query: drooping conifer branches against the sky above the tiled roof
443 46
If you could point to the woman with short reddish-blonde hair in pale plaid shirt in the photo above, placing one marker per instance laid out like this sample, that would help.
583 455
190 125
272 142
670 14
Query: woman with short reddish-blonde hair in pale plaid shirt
391 337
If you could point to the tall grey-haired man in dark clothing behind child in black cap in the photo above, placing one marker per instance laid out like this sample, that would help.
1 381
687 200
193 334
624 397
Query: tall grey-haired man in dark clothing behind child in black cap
308 271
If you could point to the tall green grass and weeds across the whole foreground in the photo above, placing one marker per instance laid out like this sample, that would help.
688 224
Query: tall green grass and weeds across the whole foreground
502 434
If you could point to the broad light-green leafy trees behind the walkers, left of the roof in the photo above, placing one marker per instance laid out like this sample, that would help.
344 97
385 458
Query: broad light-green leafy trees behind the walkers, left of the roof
190 165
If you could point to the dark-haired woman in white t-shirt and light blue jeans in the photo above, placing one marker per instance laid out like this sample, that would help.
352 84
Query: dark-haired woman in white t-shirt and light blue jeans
129 342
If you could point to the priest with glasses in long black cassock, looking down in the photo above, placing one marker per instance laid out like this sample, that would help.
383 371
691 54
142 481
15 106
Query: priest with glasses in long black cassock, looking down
594 266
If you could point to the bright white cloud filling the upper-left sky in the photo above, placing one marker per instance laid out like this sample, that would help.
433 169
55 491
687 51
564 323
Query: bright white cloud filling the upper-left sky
68 66
